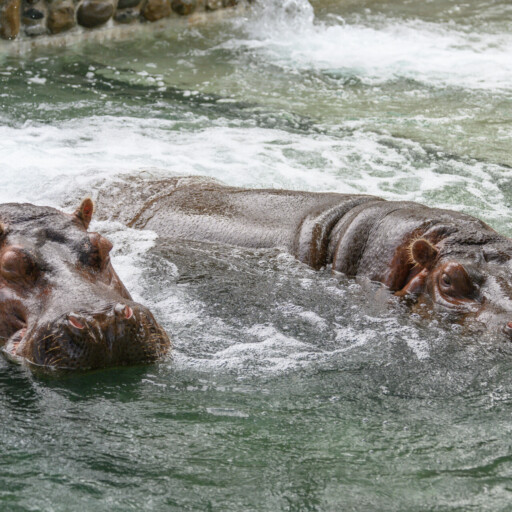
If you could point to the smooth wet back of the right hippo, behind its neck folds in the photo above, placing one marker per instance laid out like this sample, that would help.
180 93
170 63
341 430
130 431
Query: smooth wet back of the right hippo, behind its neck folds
205 210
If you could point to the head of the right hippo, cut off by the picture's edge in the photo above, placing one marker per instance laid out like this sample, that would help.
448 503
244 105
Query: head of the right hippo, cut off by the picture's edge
466 278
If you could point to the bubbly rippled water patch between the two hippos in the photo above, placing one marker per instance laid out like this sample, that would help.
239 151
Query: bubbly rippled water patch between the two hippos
293 319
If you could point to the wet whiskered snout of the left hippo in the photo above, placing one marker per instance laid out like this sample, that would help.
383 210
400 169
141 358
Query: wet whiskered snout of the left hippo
119 334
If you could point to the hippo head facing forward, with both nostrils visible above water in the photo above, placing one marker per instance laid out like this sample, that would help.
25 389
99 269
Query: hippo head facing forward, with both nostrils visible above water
62 304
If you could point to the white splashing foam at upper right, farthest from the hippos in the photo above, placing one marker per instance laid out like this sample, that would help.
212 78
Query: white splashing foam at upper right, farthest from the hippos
438 54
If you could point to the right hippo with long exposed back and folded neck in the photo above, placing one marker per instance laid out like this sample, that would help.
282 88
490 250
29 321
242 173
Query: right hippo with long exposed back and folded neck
454 261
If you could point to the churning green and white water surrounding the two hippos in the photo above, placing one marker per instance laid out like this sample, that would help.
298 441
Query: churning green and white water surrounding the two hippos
289 389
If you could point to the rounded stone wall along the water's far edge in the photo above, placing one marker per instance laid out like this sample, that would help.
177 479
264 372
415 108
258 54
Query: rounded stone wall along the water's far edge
34 19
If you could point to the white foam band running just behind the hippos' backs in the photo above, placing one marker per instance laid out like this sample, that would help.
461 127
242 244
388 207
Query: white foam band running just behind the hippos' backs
46 164
